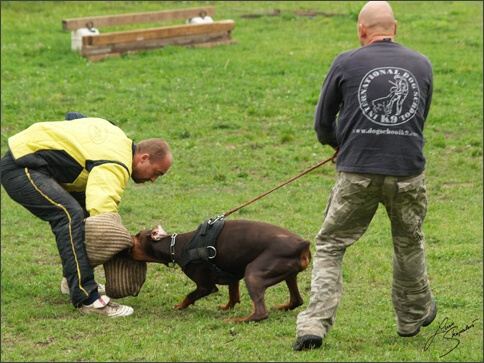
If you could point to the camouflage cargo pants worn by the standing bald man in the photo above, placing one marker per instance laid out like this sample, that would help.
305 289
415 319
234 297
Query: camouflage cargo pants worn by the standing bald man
352 203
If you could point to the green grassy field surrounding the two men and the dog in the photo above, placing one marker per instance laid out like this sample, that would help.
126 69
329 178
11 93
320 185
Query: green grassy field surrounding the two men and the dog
239 121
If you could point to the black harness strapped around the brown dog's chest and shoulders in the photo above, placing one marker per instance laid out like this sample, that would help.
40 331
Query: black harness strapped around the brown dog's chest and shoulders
201 247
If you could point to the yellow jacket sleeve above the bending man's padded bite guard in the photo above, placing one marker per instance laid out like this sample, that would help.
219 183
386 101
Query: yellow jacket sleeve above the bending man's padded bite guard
105 185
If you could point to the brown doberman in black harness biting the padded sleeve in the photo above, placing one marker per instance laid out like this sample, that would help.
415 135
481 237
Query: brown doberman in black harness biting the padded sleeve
262 254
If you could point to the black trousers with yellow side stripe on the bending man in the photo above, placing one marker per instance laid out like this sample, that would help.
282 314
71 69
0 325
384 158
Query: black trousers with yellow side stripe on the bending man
38 192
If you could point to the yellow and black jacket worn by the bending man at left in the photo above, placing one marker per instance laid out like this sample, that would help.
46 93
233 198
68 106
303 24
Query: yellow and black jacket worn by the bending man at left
87 154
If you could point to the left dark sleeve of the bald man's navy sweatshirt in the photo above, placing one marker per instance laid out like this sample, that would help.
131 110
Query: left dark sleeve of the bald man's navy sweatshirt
328 106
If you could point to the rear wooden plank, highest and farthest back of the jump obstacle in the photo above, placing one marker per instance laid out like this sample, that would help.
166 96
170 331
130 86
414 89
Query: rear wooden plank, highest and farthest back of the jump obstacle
136 18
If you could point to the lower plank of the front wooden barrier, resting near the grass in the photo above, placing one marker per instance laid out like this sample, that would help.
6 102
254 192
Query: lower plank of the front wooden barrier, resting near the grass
98 52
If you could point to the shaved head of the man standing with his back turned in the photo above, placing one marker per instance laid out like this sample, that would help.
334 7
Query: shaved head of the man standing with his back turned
376 20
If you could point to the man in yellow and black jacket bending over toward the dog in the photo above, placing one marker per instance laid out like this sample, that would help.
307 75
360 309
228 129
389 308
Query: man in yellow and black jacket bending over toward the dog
66 171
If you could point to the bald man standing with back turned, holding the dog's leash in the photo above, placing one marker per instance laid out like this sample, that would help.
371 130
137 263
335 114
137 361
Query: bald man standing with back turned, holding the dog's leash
372 109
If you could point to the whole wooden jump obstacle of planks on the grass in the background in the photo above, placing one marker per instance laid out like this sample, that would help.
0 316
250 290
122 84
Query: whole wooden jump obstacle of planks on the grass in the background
99 46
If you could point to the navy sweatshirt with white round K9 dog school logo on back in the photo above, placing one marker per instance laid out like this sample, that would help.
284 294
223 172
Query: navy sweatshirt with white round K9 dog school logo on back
373 105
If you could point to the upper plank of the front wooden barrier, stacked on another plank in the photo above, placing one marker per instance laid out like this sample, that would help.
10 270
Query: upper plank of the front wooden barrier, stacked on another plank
156 33
